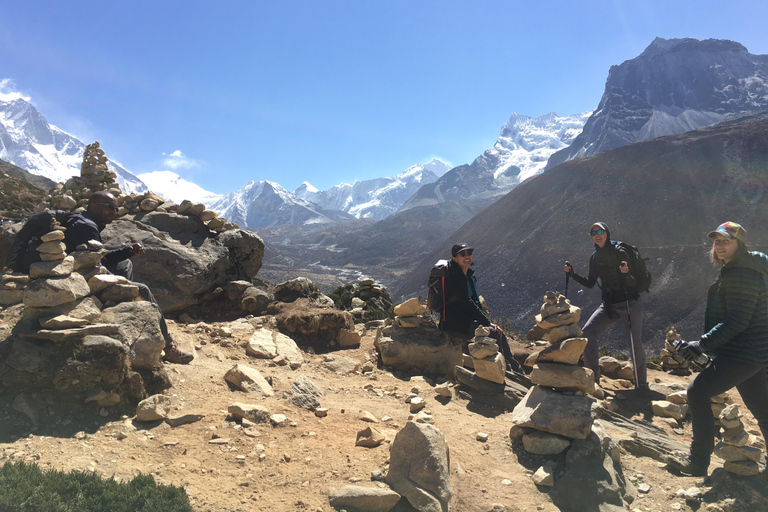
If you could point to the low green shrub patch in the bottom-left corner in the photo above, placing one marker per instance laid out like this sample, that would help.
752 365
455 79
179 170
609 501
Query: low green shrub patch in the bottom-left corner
27 488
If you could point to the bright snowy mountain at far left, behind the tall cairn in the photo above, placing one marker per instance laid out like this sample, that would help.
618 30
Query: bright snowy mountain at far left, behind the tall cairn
28 141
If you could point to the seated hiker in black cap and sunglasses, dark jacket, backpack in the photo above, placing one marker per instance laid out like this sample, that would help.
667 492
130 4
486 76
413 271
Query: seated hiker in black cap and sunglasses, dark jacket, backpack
463 312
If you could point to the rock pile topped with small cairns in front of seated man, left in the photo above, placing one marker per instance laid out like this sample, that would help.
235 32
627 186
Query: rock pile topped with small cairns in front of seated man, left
65 303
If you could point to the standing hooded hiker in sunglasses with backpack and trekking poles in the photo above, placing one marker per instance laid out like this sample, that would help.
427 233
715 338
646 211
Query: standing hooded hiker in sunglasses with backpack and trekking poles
620 273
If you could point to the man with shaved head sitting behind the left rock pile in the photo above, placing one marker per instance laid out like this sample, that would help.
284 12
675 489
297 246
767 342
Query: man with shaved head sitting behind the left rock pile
102 209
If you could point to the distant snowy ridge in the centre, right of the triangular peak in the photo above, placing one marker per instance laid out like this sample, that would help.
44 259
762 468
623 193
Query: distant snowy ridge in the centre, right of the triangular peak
376 198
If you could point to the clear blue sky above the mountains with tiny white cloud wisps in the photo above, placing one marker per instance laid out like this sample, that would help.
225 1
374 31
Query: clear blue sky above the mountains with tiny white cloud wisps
327 91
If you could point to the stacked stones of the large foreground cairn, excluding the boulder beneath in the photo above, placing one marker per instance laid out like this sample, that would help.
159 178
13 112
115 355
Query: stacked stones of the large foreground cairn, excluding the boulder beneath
556 409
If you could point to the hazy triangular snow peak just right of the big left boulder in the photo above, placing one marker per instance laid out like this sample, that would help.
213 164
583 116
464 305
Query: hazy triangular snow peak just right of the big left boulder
267 204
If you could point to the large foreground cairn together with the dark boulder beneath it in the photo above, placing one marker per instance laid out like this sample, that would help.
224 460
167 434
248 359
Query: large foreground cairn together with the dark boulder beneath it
558 415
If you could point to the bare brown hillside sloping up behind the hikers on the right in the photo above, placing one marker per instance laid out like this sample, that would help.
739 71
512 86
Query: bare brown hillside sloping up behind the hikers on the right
663 195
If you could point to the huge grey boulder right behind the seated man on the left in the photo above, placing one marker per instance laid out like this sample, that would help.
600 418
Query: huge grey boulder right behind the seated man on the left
183 260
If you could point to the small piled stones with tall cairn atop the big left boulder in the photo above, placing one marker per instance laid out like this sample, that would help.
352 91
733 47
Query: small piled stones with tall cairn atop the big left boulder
95 176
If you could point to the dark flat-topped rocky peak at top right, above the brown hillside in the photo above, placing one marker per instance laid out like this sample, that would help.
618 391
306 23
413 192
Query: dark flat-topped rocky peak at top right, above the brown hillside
674 86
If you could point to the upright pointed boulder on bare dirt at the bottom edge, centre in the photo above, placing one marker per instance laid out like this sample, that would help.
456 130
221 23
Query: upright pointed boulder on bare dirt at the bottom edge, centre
419 467
